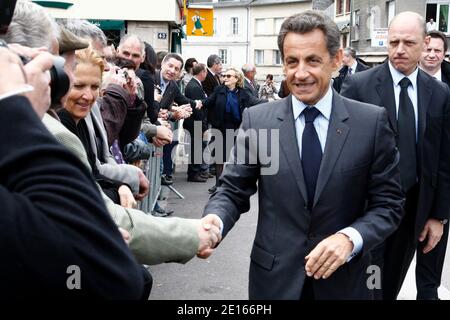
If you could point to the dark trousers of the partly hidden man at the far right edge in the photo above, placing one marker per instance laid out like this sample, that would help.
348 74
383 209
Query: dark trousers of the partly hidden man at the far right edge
429 268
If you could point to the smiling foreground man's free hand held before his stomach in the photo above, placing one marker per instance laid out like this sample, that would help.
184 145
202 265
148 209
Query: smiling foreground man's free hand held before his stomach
328 255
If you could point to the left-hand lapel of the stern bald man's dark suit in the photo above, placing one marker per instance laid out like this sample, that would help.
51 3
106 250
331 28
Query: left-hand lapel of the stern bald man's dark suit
385 89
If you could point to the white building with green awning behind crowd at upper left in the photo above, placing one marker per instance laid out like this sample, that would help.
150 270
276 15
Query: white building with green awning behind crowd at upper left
161 28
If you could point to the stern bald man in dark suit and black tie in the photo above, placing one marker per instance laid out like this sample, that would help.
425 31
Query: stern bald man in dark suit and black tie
418 108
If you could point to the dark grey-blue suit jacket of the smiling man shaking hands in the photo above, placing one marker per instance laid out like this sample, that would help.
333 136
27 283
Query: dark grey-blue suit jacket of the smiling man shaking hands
359 165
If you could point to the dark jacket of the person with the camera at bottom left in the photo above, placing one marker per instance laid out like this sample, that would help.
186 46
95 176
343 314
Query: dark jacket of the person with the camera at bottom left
53 217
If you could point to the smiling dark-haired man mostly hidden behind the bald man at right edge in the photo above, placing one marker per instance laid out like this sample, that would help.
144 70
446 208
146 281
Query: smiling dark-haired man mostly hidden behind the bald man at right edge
429 265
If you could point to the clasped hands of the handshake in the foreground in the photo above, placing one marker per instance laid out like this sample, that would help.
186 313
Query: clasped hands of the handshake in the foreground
209 233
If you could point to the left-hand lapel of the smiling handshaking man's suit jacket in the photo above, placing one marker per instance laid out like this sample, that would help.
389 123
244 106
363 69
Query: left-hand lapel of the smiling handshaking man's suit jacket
289 145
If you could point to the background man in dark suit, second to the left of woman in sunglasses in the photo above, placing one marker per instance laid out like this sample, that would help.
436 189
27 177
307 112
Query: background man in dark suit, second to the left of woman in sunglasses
194 90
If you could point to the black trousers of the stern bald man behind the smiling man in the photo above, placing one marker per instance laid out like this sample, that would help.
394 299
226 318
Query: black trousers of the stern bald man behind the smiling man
395 255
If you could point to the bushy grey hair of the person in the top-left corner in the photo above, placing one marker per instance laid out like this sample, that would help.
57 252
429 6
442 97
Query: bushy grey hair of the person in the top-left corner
31 26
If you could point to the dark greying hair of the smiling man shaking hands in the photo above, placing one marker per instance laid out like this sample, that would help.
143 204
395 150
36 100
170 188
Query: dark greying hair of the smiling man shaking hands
308 21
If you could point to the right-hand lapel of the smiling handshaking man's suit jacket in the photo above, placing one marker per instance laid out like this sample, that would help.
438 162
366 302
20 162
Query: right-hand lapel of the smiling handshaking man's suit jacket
337 134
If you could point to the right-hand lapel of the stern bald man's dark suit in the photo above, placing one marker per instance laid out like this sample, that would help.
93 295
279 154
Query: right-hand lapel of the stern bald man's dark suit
424 93
